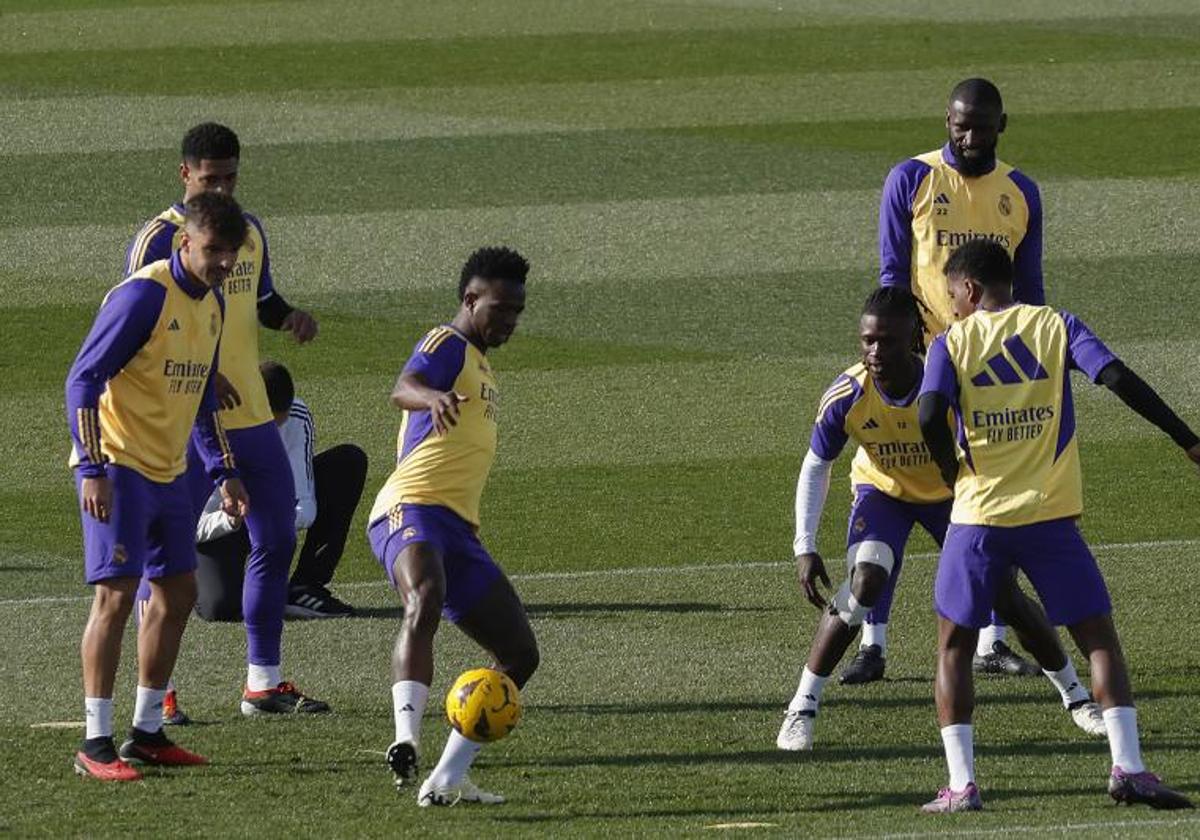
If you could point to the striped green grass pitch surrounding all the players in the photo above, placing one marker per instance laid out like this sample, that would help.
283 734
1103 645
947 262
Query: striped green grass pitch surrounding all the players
697 184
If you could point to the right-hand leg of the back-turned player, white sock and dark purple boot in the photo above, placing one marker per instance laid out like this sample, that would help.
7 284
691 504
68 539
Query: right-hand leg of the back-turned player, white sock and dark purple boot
1130 782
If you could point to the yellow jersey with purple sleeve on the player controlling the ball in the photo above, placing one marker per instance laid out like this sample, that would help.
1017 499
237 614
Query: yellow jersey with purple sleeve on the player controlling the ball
447 470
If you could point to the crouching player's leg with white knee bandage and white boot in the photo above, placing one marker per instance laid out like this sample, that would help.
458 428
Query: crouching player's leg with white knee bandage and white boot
838 628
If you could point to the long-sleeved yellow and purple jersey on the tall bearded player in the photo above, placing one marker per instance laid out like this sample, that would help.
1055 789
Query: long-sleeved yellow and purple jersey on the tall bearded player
929 209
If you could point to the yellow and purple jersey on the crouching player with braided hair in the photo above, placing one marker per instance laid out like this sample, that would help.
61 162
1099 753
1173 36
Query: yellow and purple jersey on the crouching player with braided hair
892 457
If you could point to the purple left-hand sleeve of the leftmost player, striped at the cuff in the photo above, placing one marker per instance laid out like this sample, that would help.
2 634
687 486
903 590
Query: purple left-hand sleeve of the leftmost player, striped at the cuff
123 326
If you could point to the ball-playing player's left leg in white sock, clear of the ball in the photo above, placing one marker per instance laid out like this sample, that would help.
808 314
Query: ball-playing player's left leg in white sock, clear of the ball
421 583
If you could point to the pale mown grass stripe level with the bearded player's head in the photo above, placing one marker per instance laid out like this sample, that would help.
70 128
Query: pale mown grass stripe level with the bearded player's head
57 125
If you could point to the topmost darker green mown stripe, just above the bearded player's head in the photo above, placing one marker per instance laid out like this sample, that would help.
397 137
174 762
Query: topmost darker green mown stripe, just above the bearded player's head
593 58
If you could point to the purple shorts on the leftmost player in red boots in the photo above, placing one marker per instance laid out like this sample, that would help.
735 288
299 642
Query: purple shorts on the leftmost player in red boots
152 530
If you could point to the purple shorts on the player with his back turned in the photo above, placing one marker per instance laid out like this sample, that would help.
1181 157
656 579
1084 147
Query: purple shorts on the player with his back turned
1053 555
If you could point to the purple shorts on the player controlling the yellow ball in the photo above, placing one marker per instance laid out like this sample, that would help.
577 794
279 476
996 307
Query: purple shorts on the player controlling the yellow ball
470 571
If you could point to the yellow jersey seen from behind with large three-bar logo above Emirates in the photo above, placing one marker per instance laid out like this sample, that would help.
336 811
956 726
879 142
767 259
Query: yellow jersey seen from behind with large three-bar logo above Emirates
1006 377
